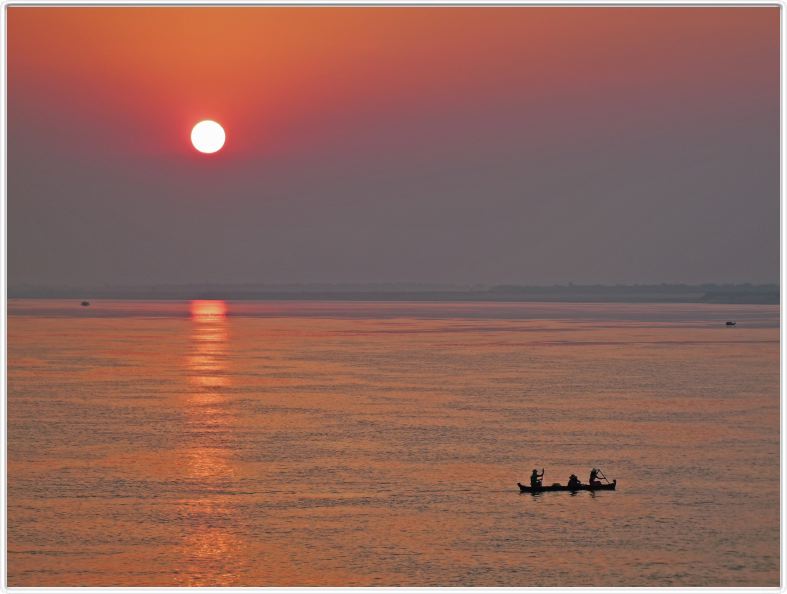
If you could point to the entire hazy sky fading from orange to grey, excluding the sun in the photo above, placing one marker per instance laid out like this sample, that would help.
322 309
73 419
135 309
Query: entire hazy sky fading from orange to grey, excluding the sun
446 145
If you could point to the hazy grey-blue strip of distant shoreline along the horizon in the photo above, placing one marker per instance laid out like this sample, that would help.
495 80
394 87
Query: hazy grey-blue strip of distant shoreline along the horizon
661 293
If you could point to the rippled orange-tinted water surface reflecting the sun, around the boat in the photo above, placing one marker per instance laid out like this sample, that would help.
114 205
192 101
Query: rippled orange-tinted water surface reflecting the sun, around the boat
163 443
